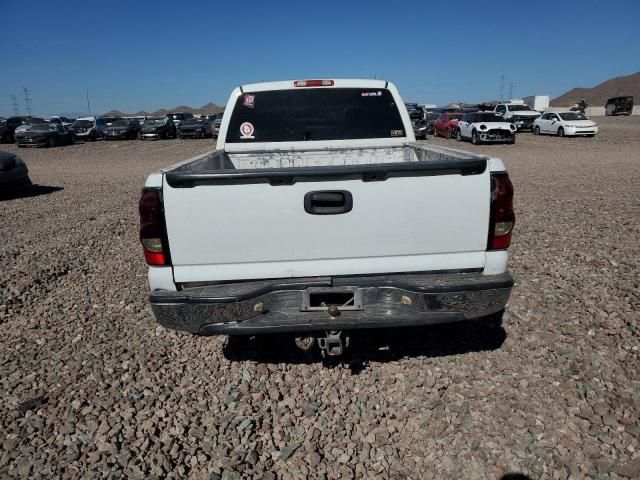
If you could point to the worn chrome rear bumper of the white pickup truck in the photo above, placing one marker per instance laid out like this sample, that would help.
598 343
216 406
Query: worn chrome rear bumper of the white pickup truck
270 306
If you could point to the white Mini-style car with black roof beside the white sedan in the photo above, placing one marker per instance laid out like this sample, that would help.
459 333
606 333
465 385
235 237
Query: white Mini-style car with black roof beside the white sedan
481 127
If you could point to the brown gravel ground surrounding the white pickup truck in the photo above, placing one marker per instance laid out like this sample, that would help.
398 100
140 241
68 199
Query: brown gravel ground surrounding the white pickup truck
91 387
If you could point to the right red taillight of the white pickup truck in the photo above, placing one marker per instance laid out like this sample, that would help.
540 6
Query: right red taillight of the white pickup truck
502 218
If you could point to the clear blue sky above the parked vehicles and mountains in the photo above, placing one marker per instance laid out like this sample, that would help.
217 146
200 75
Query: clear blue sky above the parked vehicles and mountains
141 54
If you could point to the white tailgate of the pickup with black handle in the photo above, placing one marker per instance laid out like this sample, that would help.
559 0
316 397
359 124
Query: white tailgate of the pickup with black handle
427 220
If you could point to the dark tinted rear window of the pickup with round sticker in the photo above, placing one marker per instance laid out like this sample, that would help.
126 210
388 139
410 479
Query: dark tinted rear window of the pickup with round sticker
315 114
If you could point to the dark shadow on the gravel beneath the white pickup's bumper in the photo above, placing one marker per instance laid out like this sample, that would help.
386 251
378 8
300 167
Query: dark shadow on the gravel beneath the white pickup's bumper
379 345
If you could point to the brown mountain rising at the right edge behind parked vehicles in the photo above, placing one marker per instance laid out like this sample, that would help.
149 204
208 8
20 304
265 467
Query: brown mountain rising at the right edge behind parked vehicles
597 96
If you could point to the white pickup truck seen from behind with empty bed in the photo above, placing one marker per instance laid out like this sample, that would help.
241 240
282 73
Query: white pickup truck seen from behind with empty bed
318 214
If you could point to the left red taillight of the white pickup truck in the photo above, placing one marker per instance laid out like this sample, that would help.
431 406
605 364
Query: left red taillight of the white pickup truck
153 235
